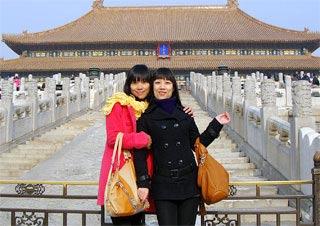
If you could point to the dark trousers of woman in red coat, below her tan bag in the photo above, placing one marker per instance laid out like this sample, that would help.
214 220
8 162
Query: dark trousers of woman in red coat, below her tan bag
135 220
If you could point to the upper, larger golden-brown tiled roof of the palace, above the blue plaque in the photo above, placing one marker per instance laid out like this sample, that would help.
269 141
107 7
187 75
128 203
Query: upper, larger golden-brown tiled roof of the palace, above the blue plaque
164 24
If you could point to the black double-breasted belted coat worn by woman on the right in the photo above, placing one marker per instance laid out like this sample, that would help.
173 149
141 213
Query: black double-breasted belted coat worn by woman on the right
173 138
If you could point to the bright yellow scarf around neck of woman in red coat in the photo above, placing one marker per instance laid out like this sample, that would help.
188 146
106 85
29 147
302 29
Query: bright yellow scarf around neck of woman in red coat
138 106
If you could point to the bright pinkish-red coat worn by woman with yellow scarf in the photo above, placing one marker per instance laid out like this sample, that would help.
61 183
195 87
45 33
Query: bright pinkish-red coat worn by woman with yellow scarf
121 119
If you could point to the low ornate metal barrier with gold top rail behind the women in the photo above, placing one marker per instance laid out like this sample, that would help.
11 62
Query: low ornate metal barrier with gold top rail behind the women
213 214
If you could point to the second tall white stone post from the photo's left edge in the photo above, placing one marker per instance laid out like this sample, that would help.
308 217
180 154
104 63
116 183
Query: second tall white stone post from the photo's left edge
34 100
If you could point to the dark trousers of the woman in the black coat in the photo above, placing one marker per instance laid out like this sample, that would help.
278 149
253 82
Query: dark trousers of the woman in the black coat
177 212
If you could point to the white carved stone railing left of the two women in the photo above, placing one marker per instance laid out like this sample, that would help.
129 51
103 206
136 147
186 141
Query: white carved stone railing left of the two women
24 113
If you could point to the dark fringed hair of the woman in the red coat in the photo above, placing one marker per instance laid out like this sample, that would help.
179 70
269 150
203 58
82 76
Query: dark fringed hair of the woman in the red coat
138 73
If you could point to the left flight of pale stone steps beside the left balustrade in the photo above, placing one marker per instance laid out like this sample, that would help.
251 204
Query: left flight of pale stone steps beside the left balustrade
19 160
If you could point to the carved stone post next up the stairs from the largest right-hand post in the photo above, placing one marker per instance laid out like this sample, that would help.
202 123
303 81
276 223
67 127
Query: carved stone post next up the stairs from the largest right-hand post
269 108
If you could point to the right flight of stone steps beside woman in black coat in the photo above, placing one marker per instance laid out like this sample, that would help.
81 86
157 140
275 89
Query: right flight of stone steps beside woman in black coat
240 169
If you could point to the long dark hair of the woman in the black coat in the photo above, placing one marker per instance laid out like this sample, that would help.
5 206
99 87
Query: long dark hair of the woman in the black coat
167 74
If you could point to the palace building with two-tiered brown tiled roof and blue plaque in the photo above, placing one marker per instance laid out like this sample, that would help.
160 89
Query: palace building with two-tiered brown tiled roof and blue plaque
183 38
